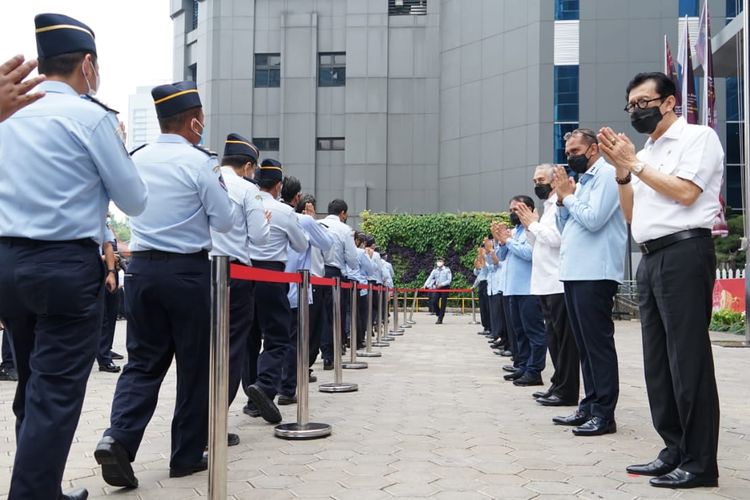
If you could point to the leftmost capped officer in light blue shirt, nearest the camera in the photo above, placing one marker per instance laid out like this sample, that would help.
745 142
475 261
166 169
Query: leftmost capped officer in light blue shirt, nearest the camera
61 162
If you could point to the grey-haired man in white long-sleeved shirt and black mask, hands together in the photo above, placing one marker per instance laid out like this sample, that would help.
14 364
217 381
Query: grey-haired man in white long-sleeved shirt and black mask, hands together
544 237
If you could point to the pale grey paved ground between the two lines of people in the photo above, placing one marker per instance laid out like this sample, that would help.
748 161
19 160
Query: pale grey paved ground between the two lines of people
432 419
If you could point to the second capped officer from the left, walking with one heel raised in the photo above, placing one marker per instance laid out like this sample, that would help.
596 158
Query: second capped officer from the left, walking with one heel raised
167 290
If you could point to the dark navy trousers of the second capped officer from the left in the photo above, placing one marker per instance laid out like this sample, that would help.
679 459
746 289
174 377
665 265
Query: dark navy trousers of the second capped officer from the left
168 313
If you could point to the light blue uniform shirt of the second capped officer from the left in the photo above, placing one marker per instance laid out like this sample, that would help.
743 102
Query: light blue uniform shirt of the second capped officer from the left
186 197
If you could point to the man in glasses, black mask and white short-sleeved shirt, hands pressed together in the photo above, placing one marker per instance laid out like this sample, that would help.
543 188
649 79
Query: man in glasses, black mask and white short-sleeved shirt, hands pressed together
669 191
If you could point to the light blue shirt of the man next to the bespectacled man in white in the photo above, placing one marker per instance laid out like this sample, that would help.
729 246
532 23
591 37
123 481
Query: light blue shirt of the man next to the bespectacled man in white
593 228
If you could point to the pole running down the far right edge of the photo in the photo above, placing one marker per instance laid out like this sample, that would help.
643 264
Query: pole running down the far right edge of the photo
746 149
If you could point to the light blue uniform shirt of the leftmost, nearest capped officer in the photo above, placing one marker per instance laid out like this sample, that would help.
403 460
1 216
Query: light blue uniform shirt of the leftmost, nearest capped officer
61 162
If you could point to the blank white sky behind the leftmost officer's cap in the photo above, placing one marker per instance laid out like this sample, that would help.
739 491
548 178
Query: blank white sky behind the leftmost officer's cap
134 40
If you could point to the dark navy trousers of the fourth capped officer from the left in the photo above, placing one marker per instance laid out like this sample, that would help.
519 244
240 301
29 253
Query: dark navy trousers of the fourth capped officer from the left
271 326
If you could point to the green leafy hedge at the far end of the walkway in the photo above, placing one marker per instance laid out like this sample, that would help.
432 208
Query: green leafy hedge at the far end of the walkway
413 242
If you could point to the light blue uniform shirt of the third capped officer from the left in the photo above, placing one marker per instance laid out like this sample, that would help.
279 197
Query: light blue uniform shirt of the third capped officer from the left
249 224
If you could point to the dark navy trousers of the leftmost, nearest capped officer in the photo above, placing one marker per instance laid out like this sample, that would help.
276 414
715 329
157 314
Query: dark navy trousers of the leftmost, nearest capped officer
49 300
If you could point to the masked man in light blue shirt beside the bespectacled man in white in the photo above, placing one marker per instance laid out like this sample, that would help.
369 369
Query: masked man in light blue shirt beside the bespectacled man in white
592 263
